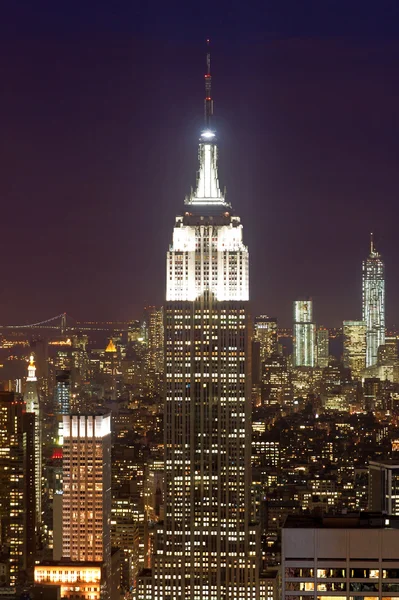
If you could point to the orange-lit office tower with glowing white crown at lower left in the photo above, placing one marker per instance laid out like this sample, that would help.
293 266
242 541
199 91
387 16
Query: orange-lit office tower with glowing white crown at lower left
86 505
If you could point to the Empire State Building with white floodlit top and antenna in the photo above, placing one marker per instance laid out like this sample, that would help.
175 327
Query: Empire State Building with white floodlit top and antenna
207 546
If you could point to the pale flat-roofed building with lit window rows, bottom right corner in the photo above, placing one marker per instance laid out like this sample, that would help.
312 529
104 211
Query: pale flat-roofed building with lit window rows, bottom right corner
341 557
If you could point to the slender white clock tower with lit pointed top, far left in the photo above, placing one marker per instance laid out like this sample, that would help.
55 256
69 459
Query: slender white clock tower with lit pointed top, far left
31 399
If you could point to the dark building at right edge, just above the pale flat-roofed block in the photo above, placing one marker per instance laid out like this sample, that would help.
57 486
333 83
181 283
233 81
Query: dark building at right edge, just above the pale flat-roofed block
384 487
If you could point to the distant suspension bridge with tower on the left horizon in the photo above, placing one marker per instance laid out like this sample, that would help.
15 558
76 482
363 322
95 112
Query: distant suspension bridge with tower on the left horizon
65 323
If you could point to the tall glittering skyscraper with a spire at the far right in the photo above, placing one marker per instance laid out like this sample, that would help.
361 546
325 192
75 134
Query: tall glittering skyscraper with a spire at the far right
373 303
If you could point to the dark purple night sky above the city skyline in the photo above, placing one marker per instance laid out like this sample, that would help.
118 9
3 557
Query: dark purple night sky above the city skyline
101 107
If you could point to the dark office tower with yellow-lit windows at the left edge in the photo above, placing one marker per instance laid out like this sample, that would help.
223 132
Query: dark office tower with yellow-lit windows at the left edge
17 487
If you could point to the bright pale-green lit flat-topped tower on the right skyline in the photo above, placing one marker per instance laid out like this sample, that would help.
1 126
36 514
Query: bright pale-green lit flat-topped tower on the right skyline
304 340
